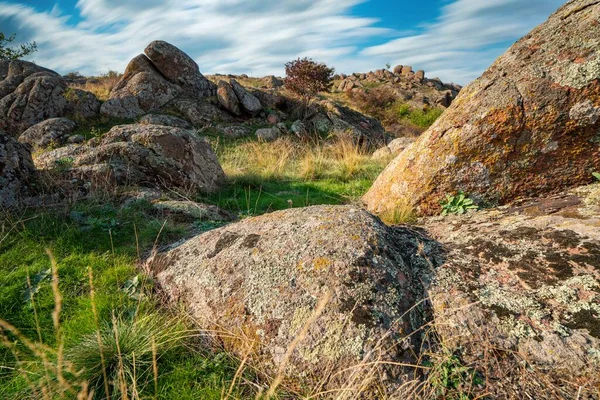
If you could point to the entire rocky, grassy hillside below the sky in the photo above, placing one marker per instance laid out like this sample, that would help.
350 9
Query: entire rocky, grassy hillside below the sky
166 234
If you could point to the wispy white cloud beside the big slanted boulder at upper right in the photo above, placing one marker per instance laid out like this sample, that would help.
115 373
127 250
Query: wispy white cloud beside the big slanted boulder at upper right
467 37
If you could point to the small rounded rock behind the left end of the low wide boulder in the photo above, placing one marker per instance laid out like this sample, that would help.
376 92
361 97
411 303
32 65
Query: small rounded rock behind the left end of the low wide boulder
51 132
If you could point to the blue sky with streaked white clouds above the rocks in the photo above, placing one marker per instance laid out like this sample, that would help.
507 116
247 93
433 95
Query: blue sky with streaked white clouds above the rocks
452 39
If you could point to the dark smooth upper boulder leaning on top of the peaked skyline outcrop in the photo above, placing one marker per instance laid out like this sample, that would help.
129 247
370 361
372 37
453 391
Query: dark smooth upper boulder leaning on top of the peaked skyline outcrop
179 69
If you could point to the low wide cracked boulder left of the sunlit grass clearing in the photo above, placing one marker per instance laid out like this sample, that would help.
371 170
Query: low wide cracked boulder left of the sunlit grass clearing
151 155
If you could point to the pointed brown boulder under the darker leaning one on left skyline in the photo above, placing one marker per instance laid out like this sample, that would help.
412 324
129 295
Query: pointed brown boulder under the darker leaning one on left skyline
141 89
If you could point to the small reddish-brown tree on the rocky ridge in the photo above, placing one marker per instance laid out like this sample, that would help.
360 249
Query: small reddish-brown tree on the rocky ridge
306 78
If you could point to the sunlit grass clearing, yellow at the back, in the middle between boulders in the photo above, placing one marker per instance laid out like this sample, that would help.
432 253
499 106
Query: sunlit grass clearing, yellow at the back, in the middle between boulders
286 173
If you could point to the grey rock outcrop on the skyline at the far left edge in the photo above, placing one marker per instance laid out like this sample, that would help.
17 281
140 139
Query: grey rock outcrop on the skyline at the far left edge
30 94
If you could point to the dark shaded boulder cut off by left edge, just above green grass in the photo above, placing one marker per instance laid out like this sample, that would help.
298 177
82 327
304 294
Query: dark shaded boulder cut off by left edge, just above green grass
16 171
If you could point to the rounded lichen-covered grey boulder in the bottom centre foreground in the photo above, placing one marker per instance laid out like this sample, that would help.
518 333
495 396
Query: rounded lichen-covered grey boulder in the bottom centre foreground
259 281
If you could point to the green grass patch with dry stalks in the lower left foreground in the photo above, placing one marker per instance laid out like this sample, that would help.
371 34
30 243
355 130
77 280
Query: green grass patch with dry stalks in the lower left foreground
145 350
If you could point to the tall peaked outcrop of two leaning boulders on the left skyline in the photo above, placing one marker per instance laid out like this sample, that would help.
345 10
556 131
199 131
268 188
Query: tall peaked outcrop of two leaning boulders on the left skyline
153 79
